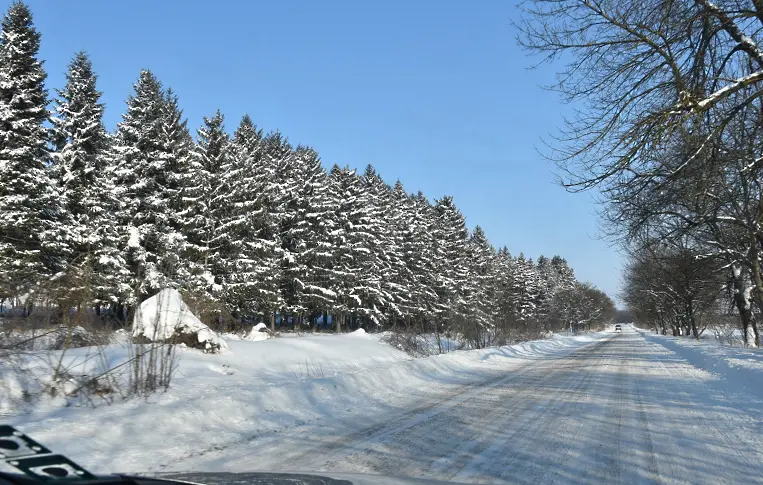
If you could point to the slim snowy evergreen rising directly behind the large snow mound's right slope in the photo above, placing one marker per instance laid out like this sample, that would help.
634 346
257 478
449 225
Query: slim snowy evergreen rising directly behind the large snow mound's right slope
207 246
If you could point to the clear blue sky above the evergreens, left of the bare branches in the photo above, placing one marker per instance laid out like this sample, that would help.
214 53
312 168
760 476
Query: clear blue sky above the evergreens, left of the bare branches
433 92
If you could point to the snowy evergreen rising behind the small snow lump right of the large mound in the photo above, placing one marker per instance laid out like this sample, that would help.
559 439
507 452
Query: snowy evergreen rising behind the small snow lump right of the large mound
250 227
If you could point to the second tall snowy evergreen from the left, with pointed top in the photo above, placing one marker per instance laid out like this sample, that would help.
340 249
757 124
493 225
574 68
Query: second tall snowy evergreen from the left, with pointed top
86 193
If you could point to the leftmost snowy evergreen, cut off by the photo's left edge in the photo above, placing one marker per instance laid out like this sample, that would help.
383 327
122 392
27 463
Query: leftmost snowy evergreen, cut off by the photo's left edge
29 248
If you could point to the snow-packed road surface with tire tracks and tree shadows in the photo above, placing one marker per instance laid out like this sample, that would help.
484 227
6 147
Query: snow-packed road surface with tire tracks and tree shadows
622 410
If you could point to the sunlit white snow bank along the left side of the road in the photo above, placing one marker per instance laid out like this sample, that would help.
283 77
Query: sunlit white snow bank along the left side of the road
330 384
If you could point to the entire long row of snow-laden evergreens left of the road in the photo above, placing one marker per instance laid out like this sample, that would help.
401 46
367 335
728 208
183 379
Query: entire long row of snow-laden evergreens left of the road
246 225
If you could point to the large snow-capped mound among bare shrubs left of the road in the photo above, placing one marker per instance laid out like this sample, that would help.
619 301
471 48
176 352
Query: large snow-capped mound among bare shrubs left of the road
165 316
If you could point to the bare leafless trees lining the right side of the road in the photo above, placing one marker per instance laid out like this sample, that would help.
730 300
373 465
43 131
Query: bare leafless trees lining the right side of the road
671 134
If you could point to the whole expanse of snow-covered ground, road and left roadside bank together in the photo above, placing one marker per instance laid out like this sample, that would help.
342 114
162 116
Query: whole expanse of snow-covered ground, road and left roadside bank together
604 408
